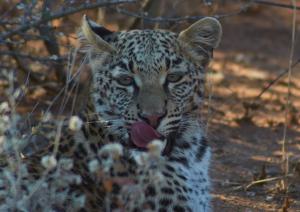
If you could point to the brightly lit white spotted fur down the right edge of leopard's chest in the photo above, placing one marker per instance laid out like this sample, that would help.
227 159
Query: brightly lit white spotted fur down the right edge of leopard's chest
196 171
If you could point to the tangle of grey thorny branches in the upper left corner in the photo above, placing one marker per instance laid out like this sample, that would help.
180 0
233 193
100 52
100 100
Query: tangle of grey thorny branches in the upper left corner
46 33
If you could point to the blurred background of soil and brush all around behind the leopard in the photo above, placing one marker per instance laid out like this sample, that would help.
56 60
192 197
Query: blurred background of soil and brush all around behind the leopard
252 107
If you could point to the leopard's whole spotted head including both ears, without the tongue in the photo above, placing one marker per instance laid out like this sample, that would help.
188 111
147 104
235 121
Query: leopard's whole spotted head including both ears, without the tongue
151 76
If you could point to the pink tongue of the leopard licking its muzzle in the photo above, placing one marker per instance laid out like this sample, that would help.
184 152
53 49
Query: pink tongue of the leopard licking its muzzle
142 134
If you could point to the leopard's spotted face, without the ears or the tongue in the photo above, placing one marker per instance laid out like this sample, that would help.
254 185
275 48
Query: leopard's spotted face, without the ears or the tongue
147 77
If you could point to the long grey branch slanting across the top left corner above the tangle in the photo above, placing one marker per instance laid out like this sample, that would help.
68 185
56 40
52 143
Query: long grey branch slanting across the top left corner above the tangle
62 13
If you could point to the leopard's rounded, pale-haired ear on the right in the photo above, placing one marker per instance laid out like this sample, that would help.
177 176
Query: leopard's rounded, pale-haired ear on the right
199 40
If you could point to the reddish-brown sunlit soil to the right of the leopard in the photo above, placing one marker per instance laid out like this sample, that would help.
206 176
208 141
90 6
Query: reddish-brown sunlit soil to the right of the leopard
248 146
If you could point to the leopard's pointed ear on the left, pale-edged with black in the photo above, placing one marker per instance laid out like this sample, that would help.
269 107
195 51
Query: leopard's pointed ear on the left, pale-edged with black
94 35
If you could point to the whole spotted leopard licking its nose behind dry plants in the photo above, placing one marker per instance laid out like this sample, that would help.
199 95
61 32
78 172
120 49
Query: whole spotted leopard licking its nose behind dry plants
153 81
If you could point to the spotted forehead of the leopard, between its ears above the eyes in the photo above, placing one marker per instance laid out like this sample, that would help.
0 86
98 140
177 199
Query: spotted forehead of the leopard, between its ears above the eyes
147 50
